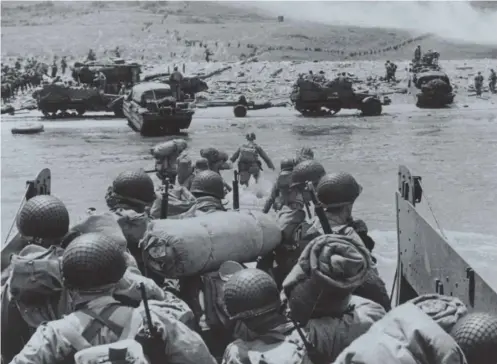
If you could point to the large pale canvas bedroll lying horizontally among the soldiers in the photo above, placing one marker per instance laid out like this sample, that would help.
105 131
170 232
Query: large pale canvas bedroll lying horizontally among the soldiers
181 248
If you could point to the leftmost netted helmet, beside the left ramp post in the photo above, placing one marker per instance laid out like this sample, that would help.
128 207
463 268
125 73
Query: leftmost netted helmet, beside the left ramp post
43 216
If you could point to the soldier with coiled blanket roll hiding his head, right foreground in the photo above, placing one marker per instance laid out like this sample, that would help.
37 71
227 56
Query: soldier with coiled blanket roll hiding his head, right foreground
326 305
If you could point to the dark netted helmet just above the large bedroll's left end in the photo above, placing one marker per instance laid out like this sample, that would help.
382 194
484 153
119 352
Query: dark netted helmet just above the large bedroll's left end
135 185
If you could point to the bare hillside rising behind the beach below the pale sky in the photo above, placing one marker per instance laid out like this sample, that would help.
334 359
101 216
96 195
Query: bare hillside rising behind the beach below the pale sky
165 31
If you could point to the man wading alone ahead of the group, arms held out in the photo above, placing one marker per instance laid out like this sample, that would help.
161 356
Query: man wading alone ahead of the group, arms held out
248 160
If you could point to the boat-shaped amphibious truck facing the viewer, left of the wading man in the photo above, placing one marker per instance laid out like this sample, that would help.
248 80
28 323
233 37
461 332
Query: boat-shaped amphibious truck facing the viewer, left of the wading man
152 110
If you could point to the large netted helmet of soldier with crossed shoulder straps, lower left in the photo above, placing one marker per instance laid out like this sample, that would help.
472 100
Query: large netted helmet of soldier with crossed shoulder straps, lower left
91 261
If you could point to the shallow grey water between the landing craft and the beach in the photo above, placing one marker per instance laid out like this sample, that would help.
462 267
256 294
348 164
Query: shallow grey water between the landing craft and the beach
455 151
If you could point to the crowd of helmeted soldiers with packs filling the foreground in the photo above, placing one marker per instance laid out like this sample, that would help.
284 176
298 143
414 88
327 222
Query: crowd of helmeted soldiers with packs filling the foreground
311 300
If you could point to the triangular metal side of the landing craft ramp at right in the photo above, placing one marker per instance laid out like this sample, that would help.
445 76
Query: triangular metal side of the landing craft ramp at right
428 263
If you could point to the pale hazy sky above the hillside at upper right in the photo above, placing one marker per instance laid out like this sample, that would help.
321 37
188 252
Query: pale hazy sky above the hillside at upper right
456 20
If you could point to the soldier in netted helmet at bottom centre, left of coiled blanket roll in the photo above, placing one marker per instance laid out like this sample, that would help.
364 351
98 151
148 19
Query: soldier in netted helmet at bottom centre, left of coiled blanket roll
252 297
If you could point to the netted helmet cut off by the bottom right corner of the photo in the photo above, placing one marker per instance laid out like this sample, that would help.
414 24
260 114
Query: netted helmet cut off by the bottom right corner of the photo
476 335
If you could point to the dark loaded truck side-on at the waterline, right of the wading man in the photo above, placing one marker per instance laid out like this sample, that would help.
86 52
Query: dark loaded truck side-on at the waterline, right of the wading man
312 98
